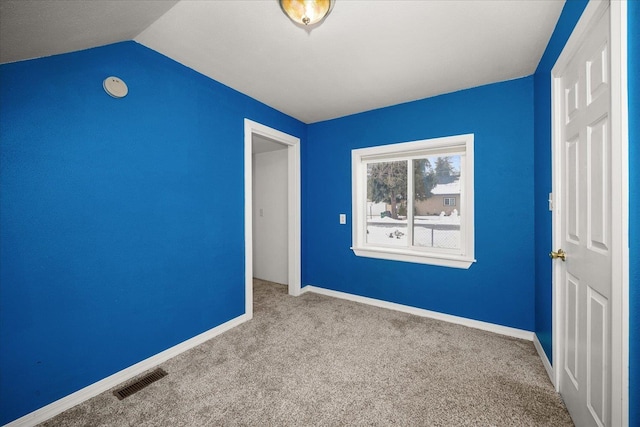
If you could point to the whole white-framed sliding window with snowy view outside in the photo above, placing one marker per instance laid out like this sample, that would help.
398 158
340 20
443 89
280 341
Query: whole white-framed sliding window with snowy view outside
404 201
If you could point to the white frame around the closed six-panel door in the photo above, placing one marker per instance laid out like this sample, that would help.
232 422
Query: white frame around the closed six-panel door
620 201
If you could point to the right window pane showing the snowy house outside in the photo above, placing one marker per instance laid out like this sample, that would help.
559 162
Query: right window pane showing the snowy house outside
436 198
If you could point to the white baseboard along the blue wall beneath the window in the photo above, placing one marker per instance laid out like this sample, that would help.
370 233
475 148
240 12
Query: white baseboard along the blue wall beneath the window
477 324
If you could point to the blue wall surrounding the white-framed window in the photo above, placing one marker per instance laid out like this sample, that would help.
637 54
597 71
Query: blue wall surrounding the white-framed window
498 288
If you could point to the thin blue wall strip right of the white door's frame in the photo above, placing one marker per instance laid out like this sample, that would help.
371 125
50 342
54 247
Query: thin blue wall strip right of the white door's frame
634 211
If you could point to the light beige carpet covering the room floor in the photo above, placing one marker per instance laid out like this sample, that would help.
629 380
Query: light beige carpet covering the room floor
316 360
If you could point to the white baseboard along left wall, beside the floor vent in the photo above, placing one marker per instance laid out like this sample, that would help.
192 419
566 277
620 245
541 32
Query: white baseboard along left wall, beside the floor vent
67 402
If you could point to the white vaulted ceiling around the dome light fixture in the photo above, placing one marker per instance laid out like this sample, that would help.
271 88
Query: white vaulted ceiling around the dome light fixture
365 55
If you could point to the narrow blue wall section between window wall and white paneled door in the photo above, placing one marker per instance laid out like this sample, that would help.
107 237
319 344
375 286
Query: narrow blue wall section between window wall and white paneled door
568 19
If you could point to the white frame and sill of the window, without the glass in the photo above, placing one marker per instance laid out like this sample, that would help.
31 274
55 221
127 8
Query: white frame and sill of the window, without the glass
461 145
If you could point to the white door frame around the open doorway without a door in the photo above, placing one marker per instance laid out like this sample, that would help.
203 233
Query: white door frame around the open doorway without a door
293 211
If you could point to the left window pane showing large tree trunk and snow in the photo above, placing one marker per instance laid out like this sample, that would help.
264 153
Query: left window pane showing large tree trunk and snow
387 203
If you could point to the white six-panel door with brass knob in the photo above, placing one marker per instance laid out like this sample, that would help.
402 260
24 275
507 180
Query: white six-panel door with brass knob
586 228
